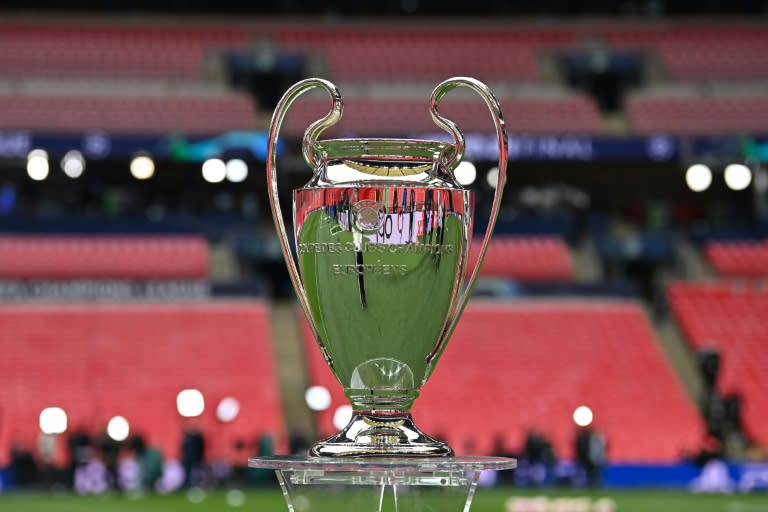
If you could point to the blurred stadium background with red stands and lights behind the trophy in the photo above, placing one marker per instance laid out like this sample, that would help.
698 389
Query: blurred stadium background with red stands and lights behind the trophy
149 339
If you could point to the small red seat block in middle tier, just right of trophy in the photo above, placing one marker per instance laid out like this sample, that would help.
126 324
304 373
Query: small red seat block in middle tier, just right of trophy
525 258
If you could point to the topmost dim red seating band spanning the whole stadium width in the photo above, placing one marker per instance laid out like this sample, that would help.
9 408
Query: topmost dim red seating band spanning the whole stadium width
372 51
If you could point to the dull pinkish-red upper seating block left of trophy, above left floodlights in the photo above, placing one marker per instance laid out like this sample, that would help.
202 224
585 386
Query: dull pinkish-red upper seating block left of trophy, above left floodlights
137 114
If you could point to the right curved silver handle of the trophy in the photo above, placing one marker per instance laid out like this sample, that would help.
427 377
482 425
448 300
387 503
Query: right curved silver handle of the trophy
451 158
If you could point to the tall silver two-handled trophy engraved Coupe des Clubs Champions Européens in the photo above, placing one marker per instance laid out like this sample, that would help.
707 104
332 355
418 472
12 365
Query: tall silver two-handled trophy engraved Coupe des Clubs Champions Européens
382 233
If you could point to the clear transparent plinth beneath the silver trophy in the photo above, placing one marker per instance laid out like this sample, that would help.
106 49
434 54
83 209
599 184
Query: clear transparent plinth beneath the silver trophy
391 484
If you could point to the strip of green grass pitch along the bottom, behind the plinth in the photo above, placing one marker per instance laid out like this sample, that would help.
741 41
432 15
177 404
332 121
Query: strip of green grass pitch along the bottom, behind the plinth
487 500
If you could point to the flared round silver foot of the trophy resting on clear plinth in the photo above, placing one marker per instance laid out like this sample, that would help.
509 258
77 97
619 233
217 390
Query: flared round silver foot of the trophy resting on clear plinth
371 435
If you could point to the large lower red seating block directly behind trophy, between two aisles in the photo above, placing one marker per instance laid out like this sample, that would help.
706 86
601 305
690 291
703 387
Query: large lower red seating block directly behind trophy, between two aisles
533 364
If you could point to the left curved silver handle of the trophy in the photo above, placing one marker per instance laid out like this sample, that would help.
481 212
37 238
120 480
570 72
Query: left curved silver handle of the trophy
310 136
